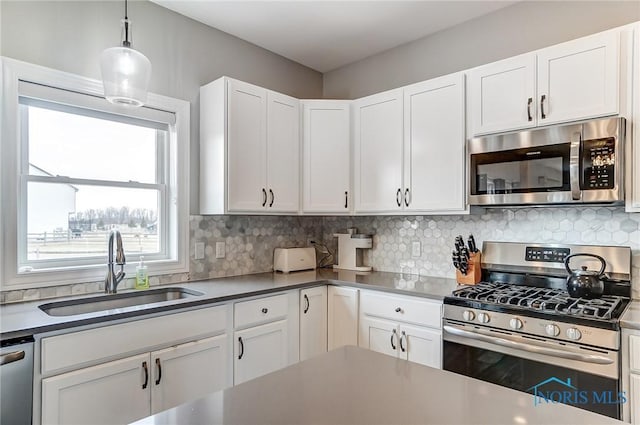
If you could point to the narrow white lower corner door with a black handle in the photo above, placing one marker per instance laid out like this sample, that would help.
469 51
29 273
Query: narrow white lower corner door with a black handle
313 322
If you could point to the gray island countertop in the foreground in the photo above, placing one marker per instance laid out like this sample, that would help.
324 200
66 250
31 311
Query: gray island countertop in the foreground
352 385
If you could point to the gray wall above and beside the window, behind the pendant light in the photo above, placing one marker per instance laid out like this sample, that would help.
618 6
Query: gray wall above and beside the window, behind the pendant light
184 54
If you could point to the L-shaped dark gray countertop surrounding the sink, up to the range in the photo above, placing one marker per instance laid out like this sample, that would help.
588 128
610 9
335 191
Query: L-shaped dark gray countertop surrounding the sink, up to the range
25 318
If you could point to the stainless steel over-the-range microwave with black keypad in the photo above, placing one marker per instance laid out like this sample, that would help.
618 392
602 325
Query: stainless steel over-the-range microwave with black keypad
565 164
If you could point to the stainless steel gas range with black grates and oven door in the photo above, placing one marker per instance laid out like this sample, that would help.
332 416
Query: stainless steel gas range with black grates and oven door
519 327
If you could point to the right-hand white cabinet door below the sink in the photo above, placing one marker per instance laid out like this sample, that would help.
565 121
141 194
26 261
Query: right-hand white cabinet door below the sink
188 371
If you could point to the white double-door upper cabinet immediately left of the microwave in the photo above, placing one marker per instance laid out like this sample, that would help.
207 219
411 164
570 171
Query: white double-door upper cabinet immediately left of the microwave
409 149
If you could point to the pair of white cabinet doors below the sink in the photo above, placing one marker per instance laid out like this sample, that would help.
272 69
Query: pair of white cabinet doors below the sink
125 390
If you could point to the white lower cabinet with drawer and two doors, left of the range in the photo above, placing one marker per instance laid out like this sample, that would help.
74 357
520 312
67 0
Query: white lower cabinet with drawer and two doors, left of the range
404 327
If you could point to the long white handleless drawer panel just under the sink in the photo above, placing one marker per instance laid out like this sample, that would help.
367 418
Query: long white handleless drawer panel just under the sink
79 349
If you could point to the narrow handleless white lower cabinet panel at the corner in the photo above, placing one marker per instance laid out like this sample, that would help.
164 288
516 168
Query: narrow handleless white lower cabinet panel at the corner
343 317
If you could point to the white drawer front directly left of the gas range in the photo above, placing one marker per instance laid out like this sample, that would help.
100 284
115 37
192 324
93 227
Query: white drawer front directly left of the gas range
403 309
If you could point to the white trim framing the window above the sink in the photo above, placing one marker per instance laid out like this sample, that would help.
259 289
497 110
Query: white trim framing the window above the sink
11 72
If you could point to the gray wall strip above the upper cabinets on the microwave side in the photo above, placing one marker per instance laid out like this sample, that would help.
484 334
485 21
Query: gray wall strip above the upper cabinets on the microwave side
521 28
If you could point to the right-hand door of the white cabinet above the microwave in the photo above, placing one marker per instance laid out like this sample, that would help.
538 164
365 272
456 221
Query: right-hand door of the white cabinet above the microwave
578 79
